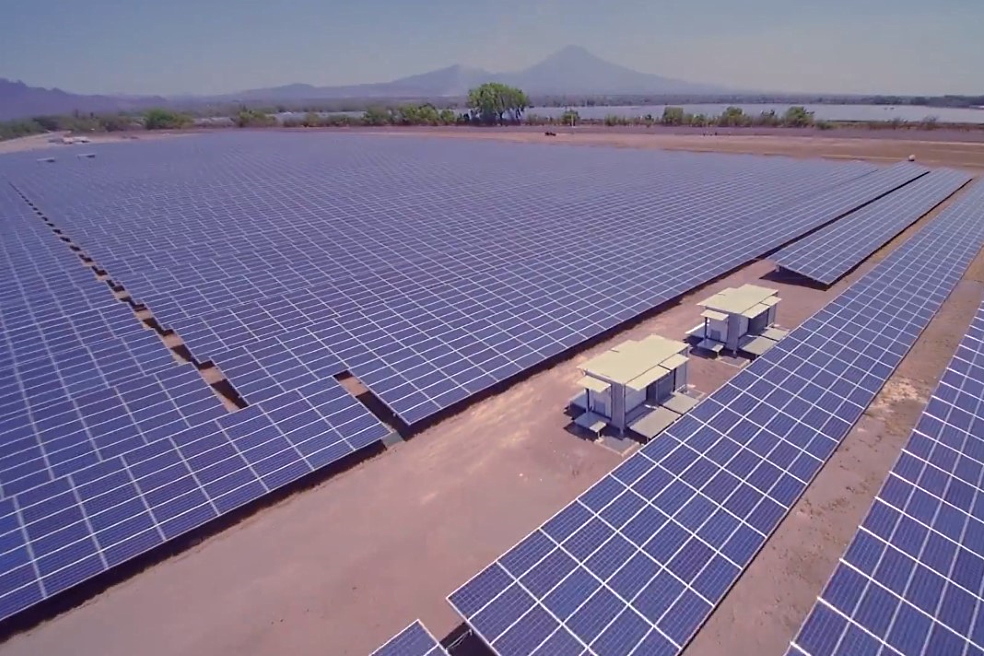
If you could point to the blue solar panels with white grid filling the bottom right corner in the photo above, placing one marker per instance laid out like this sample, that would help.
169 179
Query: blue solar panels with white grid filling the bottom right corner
910 581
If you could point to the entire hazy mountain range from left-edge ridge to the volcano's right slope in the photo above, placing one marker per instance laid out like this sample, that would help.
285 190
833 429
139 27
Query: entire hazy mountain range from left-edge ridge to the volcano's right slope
571 71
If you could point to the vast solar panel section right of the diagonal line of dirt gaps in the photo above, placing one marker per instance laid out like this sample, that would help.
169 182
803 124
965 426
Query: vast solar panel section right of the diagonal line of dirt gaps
430 282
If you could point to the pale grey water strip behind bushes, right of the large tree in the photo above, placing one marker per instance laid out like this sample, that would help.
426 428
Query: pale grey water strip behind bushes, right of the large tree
822 112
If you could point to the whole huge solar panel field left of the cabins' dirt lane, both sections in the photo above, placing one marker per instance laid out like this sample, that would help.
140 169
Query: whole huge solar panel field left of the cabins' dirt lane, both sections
429 269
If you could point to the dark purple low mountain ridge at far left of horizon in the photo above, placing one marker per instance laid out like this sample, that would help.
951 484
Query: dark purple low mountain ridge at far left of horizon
19 100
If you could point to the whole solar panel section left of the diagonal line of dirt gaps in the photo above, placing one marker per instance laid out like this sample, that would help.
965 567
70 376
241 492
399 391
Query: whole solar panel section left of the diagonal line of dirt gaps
109 448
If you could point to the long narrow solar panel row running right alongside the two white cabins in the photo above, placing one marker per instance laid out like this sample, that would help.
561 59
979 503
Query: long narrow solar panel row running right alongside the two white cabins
637 563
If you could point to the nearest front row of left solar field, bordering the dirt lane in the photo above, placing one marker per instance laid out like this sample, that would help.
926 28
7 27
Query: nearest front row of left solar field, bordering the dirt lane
76 526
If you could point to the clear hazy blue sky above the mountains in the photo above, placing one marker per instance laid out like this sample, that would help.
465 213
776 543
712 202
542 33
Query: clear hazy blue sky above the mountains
212 46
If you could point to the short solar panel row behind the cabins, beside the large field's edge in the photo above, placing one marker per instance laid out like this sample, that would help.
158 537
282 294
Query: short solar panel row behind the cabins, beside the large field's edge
829 253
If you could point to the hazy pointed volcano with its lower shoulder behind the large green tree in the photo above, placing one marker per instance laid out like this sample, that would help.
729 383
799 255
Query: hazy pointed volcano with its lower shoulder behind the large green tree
571 71
